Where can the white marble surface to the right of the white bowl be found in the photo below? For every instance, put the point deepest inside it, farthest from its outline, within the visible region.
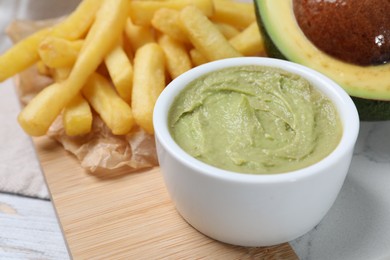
(358, 224)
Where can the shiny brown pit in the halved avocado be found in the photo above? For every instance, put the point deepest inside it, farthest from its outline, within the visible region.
(354, 31)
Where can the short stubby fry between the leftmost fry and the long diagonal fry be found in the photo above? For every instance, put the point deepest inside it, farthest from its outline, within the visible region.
(57, 52)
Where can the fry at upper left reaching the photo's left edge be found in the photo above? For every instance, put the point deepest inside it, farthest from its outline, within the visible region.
(25, 53)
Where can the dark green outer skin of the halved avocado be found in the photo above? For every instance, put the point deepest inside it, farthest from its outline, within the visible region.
(369, 110)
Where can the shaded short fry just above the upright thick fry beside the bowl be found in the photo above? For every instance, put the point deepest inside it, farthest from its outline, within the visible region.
(138, 35)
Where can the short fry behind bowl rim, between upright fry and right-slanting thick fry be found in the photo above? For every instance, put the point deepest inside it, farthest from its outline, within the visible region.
(177, 58)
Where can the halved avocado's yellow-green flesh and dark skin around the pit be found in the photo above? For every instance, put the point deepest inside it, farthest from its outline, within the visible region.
(369, 86)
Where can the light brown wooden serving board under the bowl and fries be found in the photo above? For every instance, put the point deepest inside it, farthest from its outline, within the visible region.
(121, 215)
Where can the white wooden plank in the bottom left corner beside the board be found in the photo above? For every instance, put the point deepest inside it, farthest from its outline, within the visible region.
(29, 229)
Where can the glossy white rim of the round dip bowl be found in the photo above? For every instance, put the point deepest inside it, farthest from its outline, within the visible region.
(345, 106)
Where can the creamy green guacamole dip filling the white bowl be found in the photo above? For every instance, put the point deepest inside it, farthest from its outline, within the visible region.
(254, 119)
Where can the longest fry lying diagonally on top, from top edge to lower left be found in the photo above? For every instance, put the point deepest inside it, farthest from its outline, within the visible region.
(110, 21)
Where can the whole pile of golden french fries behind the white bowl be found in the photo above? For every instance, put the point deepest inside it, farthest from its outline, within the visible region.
(114, 57)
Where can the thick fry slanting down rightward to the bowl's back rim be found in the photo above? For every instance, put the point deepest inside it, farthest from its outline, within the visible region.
(205, 35)
